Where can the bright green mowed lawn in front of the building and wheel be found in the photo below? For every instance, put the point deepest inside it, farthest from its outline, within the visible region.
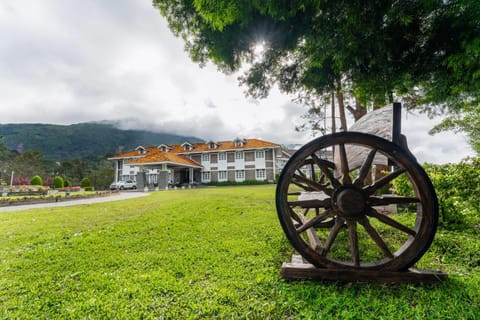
(201, 253)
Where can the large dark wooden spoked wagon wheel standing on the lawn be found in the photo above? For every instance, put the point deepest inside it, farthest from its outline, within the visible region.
(337, 215)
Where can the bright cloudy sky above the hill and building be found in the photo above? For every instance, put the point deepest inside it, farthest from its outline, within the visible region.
(65, 61)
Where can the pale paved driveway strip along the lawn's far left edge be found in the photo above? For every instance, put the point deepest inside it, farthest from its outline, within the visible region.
(116, 197)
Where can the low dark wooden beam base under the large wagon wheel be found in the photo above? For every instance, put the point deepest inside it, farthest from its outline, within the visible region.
(300, 270)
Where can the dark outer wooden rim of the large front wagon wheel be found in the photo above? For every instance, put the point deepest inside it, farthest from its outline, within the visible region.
(426, 216)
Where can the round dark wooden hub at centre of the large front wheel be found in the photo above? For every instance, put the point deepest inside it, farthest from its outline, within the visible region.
(350, 202)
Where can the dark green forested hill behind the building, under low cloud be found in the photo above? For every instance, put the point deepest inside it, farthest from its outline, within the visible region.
(82, 140)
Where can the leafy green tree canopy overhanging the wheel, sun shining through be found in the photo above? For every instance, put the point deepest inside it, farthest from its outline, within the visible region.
(376, 51)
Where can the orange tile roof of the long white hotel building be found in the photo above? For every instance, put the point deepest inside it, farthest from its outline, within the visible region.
(154, 155)
